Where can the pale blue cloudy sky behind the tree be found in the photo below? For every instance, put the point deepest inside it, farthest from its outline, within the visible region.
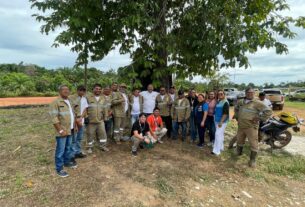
(21, 40)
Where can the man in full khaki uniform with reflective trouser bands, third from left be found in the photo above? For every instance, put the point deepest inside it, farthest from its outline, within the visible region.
(97, 112)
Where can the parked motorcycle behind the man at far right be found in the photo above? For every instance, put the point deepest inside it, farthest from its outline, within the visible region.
(274, 131)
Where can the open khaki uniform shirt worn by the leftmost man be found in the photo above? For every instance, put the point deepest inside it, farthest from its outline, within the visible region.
(60, 114)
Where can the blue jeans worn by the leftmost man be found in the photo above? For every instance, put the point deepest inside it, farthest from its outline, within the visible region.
(63, 152)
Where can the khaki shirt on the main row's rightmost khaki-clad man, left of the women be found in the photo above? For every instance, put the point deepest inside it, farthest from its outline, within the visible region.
(181, 112)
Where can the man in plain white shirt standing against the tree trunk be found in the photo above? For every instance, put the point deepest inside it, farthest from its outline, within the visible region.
(149, 97)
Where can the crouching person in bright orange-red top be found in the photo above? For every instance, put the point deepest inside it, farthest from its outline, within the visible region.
(156, 125)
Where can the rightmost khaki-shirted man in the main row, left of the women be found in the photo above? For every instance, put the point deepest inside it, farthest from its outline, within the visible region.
(180, 112)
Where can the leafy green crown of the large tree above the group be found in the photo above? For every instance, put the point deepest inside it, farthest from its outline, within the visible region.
(185, 37)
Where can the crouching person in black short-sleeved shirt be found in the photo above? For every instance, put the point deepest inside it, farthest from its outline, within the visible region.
(140, 134)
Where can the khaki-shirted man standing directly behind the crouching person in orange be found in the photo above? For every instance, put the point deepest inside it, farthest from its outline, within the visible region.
(164, 102)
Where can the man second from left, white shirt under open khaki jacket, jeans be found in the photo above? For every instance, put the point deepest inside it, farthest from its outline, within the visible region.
(80, 103)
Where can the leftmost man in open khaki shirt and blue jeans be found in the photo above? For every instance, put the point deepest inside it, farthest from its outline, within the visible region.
(63, 118)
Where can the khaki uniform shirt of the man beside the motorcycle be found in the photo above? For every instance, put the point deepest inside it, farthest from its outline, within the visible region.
(246, 112)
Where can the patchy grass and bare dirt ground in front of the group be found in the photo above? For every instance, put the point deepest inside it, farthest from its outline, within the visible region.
(171, 174)
